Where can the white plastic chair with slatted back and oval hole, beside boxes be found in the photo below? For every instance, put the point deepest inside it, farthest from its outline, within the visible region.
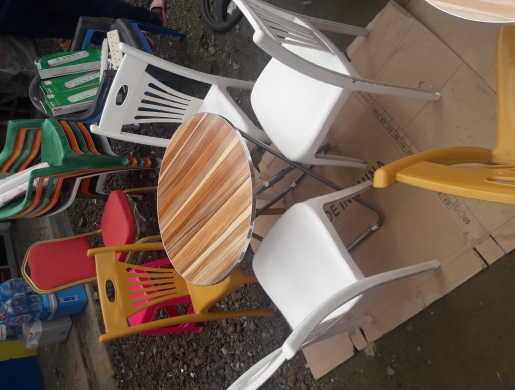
(149, 100)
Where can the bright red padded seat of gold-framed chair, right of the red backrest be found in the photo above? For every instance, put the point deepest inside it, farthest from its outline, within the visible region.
(118, 224)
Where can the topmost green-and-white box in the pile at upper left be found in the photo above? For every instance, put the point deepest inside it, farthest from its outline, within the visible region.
(87, 60)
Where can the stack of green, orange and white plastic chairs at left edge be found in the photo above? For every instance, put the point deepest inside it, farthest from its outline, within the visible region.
(76, 164)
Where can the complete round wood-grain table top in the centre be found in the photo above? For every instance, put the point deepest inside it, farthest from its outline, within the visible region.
(205, 199)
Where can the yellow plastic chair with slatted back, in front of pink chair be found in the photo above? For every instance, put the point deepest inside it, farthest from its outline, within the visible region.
(167, 284)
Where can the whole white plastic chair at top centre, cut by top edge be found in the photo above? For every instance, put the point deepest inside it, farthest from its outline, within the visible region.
(306, 83)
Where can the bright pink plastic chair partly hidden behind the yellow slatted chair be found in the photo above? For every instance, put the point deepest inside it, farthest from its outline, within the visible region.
(147, 315)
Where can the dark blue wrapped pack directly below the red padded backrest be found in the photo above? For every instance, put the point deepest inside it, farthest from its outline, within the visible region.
(64, 303)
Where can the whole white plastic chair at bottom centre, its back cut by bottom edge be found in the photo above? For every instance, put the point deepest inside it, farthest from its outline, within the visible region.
(306, 270)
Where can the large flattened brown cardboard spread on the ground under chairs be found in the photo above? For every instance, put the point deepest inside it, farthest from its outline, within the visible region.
(464, 235)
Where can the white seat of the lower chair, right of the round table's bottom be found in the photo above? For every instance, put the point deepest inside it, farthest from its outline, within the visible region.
(300, 265)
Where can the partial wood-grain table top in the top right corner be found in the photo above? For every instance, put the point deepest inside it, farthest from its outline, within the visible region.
(491, 11)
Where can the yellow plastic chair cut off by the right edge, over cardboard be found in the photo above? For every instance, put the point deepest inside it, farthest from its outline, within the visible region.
(493, 181)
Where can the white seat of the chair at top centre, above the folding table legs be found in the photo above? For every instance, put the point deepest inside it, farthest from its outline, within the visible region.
(295, 109)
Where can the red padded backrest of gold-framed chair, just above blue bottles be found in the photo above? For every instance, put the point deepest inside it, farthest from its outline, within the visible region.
(57, 263)
